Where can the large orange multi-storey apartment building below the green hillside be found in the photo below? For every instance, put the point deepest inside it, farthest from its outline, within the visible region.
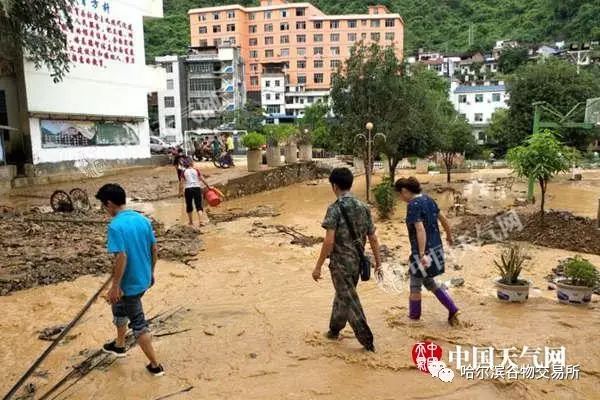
(293, 42)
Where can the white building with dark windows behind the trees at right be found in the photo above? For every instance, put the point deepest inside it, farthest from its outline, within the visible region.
(477, 103)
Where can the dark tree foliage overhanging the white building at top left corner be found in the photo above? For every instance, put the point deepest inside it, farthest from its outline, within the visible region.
(33, 28)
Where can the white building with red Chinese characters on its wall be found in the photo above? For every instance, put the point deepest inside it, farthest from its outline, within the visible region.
(97, 116)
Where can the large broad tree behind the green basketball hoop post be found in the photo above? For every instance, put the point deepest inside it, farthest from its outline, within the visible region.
(556, 82)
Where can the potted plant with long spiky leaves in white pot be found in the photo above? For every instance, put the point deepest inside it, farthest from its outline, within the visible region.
(509, 287)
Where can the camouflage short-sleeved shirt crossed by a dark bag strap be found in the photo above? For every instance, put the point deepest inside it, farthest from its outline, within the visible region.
(344, 251)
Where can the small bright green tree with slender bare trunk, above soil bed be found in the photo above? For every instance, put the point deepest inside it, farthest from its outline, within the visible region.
(541, 158)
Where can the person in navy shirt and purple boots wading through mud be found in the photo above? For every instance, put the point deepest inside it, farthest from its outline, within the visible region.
(427, 252)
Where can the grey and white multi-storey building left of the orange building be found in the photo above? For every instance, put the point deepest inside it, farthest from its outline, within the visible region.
(200, 88)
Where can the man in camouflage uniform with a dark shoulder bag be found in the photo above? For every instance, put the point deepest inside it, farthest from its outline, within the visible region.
(344, 257)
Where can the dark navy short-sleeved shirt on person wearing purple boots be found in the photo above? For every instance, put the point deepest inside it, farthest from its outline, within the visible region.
(423, 208)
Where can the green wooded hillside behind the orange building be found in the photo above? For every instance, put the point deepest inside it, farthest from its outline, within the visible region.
(431, 24)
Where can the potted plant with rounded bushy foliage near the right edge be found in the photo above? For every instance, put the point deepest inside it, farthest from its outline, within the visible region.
(580, 279)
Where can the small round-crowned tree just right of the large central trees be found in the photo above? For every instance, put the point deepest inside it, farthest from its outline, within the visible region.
(456, 138)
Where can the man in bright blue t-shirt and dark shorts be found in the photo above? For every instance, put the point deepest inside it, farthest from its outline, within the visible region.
(131, 239)
